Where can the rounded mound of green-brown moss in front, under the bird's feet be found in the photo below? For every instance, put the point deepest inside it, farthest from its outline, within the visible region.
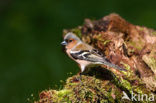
(91, 90)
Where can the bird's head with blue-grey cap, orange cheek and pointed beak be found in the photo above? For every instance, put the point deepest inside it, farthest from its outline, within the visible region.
(70, 40)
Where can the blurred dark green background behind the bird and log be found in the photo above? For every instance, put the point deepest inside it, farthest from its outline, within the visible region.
(31, 58)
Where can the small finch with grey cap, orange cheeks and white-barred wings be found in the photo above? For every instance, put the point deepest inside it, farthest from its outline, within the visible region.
(84, 54)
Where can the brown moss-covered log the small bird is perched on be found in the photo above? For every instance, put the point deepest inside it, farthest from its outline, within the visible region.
(129, 46)
